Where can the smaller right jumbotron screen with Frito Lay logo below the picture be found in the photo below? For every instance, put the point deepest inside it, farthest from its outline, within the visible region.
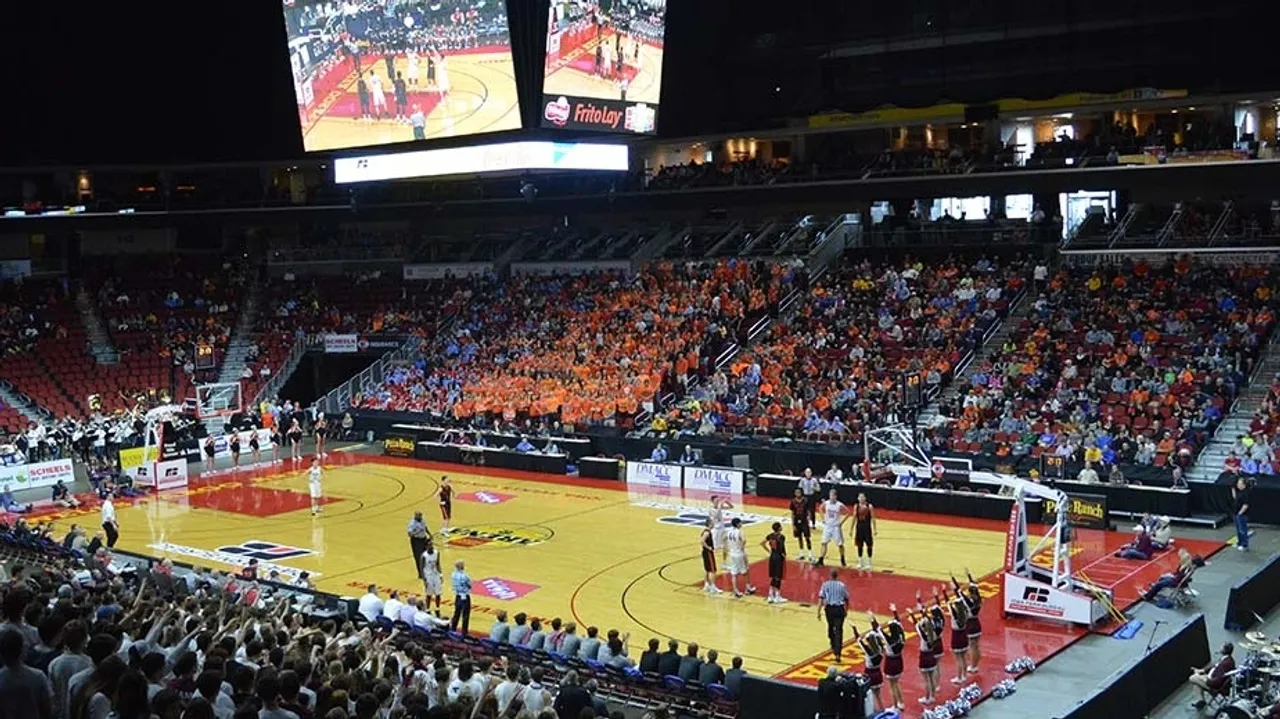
(605, 65)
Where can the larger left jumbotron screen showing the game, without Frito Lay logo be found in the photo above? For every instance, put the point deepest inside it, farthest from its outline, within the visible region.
(377, 72)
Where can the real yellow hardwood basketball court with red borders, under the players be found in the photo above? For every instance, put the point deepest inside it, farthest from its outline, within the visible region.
(595, 553)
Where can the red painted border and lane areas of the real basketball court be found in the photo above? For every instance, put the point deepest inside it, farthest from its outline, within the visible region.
(1004, 639)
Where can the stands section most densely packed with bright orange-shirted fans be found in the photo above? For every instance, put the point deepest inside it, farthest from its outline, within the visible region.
(588, 349)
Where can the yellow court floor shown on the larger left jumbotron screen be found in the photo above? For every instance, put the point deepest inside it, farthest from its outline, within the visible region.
(483, 99)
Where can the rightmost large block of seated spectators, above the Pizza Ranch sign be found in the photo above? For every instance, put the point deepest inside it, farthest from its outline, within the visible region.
(1128, 365)
